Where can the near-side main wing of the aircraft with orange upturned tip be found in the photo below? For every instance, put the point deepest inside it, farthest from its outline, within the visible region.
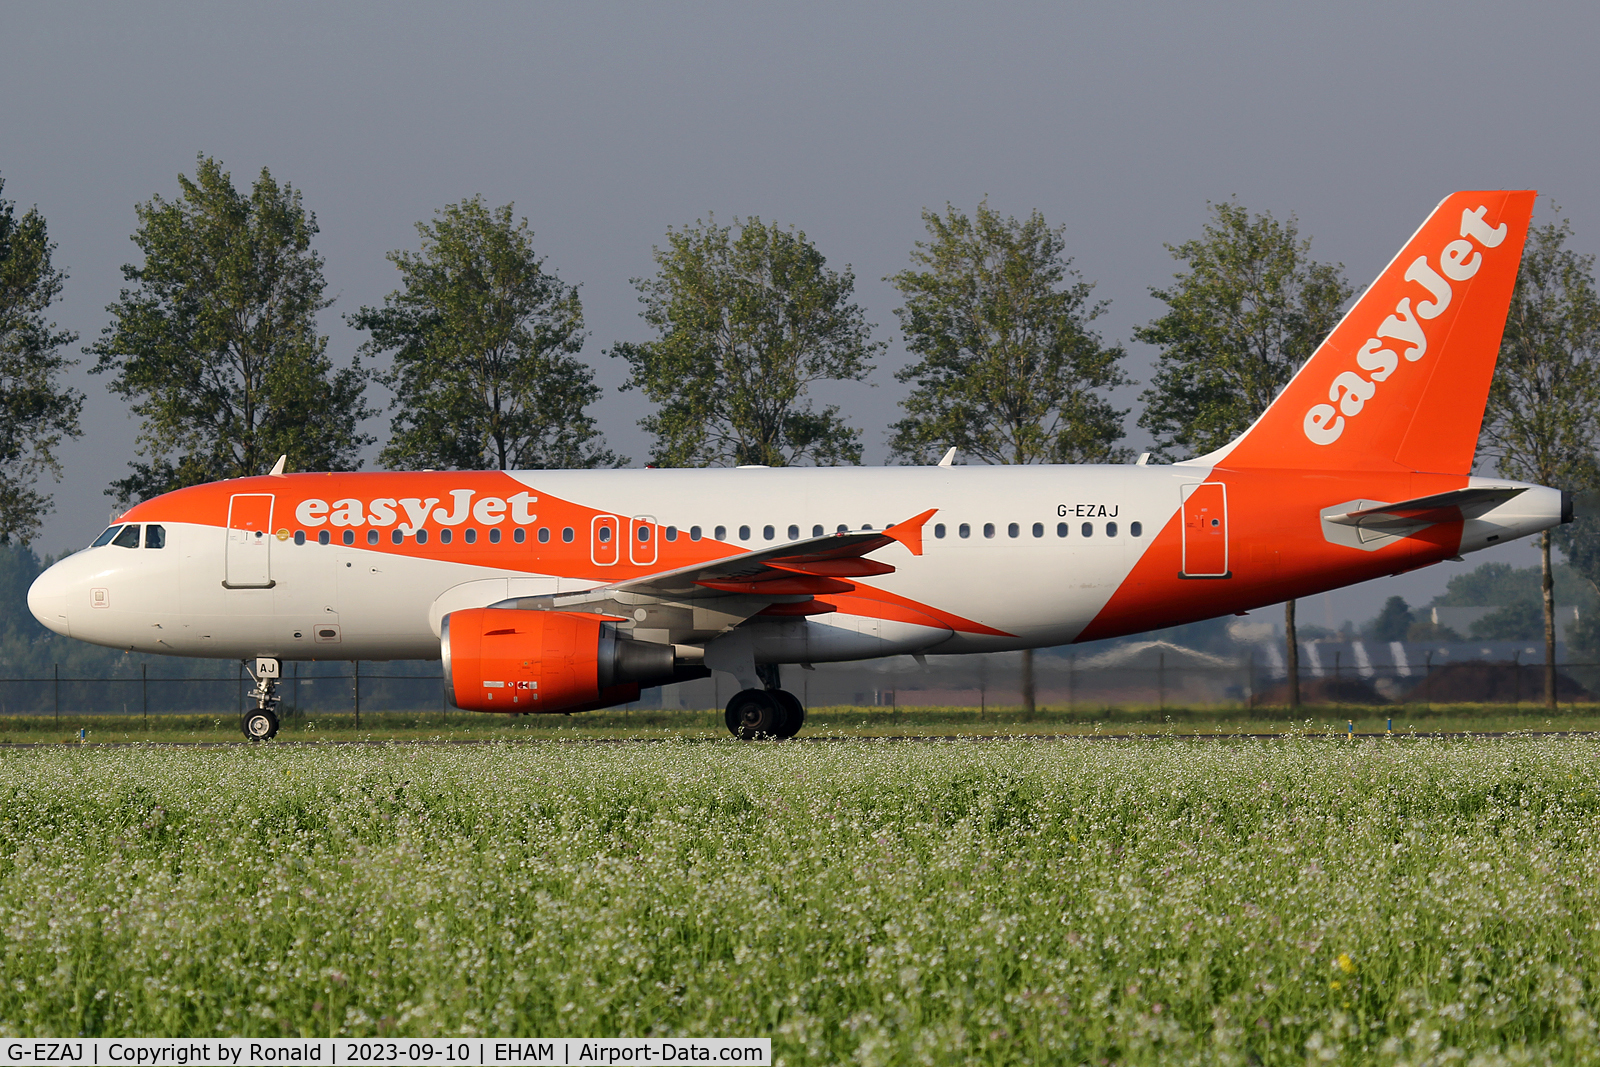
(697, 602)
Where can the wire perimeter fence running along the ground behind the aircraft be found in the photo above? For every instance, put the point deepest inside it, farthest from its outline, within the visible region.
(975, 682)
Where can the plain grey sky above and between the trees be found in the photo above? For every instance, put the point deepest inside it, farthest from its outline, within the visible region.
(607, 124)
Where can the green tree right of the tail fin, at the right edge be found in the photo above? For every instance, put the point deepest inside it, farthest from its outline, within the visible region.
(1543, 415)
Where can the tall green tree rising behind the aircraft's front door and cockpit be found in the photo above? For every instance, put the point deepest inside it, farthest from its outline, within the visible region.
(217, 346)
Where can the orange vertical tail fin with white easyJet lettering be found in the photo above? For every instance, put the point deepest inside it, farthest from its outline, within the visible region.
(1402, 380)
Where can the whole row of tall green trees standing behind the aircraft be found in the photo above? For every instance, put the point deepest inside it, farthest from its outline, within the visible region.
(215, 346)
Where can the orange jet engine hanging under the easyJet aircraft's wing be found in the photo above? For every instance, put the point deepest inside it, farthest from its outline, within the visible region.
(506, 660)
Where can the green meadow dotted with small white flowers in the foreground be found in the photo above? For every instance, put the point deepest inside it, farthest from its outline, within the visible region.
(878, 903)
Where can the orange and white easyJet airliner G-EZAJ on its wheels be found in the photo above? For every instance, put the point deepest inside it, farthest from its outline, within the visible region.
(561, 591)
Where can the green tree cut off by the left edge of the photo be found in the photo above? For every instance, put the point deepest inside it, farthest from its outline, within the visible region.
(36, 409)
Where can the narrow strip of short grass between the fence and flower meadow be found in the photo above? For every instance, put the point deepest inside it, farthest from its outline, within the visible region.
(822, 722)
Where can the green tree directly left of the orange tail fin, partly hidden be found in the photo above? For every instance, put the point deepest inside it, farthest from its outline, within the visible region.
(1246, 314)
